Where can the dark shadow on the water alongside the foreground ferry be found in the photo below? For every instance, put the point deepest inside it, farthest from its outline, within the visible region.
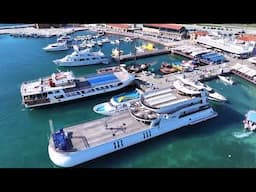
(226, 116)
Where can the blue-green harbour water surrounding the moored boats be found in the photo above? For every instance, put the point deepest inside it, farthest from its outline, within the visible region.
(219, 142)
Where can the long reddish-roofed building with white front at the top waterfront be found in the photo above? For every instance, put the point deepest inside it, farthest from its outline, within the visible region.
(171, 31)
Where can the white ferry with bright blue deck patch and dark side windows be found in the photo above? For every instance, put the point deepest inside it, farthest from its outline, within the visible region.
(63, 86)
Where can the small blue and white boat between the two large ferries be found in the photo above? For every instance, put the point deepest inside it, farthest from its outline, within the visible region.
(118, 103)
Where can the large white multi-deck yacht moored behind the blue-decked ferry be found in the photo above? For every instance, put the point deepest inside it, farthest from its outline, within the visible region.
(83, 57)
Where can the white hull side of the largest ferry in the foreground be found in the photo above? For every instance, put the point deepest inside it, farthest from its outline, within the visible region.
(70, 159)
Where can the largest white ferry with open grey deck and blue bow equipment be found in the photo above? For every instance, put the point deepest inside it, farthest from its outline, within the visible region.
(80, 143)
